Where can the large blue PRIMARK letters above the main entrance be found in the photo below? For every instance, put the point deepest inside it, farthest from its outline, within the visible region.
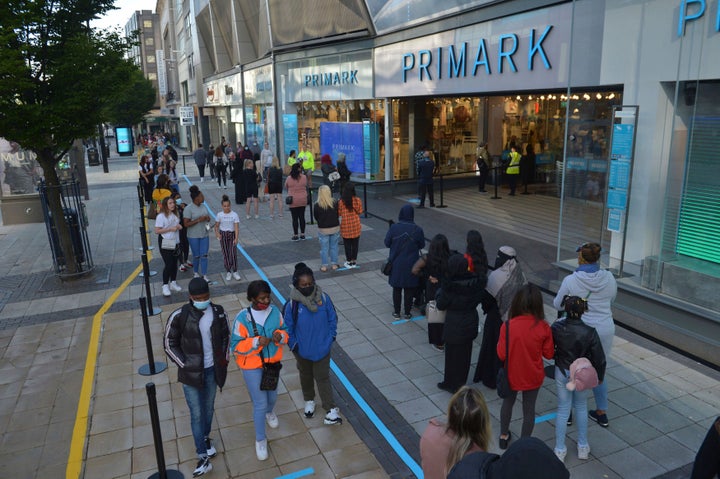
(454, 61)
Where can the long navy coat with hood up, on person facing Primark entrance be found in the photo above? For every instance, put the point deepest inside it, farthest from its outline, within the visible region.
(405, 240)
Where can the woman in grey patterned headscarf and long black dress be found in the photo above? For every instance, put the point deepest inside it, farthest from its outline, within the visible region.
(503, 283)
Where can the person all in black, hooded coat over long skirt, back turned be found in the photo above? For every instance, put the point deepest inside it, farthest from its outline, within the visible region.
(459, 296)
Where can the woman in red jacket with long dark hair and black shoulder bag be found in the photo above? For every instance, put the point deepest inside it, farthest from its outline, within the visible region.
(530, 341)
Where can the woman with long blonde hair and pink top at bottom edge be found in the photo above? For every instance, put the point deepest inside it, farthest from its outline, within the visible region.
(467, 430)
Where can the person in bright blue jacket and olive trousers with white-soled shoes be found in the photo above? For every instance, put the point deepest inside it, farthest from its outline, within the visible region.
(312, 326)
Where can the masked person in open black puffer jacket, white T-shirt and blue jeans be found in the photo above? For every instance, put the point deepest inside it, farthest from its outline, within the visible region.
(197, 323)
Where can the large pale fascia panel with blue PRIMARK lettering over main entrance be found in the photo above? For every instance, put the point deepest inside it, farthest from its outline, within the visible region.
(527, 51)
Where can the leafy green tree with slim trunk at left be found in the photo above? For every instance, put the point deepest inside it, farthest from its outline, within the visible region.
(59, 79)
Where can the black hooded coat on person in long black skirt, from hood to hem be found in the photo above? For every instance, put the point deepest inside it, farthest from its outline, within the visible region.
(459, 297)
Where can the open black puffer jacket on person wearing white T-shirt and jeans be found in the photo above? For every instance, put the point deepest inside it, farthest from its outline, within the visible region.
(183, 344)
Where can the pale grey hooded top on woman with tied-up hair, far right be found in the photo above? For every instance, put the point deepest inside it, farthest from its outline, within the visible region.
(599, 288)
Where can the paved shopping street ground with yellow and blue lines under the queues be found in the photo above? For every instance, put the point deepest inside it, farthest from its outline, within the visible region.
(72, 403)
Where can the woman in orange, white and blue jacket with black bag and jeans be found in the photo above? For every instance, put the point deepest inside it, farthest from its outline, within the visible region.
(258, 334)
